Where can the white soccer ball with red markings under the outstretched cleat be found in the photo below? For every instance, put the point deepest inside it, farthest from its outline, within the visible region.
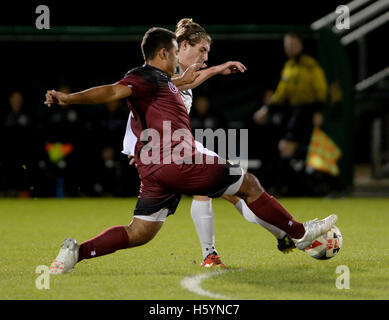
(327, 245)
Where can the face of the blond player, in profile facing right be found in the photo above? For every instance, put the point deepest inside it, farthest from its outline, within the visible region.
(198, 53)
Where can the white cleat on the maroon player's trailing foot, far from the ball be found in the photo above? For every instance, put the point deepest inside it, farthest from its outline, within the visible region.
(67, 257)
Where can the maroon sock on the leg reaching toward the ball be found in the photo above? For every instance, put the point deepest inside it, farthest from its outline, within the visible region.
(268, 208)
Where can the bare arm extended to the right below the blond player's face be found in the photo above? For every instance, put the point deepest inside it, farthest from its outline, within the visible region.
(227, 68)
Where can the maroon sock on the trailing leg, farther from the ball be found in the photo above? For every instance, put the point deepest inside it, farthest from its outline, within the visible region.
(109, 241)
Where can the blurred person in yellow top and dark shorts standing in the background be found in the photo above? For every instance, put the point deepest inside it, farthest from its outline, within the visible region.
(297, 104)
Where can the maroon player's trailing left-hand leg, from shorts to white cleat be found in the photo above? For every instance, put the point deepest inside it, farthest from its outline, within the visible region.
(153, 206)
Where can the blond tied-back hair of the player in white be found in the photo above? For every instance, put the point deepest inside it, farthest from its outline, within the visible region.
(191, 31)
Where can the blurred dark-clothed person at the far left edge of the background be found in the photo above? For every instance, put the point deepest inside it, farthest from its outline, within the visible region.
(17, 148)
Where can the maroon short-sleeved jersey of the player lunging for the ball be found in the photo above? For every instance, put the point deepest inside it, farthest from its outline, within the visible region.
(156, 104)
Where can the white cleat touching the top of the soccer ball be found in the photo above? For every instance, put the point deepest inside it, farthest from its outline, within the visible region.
(314, 229)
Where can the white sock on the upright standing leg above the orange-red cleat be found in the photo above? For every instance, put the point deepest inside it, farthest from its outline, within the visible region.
(202, 215)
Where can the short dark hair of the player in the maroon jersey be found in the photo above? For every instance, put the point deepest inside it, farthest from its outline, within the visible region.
(154, 40)
